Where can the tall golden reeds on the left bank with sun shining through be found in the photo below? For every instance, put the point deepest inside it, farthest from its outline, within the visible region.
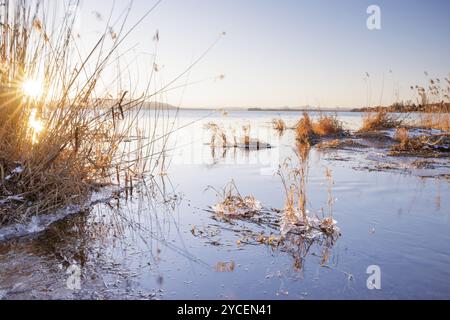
(58, 140)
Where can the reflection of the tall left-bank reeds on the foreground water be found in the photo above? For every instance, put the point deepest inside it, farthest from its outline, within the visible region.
(106, 243)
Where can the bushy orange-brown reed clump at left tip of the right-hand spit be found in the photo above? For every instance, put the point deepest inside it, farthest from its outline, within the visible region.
(308, 131)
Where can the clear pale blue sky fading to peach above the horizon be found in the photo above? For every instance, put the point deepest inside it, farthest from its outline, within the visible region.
(282, 53)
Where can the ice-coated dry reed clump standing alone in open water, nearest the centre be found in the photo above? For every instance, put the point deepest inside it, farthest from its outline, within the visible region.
(294, 230)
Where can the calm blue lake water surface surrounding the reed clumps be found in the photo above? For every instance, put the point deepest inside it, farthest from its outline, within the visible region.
(165, 244)
